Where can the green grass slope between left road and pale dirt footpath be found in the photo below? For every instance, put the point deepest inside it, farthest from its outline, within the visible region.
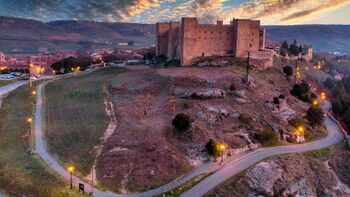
(75, 117)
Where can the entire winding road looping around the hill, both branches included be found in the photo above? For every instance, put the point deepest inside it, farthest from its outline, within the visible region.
(233, 165)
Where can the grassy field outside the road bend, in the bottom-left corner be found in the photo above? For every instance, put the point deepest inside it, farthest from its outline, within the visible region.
(22, 173)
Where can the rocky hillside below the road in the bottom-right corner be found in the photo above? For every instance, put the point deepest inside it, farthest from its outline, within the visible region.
(320, 173)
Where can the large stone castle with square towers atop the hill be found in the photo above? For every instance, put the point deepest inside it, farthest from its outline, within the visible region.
(188, 40)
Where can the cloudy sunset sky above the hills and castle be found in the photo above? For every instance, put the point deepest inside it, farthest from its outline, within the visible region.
(270, 12)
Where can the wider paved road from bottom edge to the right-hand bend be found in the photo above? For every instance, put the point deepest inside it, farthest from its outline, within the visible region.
(238, 165)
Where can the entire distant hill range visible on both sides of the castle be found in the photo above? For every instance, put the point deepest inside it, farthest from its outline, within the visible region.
(27, 36)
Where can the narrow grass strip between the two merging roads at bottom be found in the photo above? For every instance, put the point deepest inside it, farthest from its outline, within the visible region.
(182, 188)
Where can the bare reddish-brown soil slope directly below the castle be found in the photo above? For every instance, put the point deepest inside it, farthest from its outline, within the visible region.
(145, 151)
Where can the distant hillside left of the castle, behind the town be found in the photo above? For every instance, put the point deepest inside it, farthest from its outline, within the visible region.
(27, 36)
